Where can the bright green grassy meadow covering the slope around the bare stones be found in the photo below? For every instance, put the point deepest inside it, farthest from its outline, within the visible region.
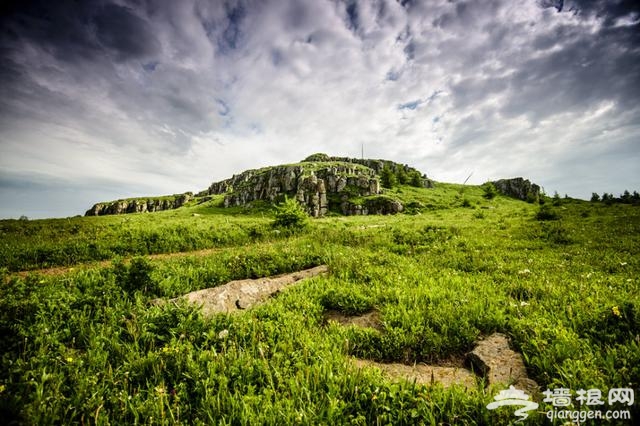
(84, 345)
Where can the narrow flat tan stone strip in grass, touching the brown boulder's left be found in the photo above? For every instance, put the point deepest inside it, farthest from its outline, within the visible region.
(423, 374)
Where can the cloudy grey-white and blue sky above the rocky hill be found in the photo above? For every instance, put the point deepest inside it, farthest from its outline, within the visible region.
(106, 99)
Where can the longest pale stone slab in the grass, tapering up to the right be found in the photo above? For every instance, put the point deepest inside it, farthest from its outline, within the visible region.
(244, 294)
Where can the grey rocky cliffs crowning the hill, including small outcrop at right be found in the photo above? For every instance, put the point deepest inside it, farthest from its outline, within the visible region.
(320, 183)
